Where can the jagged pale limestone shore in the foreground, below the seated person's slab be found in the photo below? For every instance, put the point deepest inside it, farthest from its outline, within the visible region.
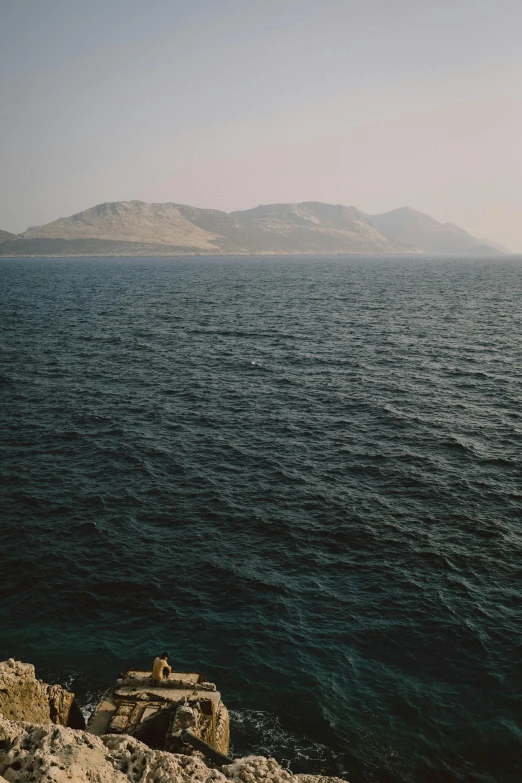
(33, 750)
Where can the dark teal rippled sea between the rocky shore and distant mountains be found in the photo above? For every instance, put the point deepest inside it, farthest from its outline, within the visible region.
(302, 477)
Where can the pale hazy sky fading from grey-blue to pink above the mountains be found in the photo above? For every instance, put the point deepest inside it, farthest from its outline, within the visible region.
(227, 104)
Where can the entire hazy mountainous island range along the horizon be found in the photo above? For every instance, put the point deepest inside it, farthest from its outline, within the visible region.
(135, 228)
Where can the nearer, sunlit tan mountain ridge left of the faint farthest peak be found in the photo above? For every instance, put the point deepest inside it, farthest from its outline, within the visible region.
(138, 228)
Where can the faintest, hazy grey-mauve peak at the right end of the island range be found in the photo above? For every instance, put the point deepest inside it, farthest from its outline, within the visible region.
(428, 235)
